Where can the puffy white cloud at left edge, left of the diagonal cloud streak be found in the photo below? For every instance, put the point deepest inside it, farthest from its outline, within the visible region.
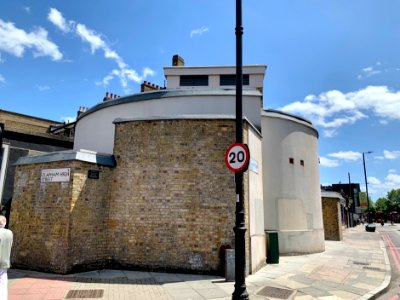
(15, 41)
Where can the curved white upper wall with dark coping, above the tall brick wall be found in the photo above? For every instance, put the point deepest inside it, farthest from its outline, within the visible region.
(95, 129)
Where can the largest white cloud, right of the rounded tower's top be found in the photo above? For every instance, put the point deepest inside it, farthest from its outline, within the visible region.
(334, 109)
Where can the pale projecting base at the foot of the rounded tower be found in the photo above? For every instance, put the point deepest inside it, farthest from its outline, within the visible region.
(301, 242)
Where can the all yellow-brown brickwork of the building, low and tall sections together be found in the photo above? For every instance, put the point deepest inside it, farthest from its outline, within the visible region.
(169, 204)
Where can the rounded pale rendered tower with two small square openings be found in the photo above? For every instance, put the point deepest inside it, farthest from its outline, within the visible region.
(292, 196)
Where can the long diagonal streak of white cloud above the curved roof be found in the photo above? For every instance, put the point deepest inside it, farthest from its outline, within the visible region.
(97, 42)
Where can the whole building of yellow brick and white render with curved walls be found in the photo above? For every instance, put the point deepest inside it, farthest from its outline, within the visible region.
(146, 185)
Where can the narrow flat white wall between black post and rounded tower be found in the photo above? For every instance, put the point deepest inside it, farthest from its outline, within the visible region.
(256, 204)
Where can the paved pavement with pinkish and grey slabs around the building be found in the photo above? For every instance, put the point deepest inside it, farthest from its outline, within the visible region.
(355, 268)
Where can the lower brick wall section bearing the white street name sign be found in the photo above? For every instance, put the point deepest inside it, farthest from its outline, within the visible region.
(59, 225)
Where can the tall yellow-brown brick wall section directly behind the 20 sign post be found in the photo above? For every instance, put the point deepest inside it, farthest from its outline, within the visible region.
(177, 207)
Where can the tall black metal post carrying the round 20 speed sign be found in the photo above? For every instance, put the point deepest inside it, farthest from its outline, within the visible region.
(240, 291)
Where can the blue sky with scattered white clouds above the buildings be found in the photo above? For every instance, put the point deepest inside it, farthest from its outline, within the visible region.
(334, 62)
